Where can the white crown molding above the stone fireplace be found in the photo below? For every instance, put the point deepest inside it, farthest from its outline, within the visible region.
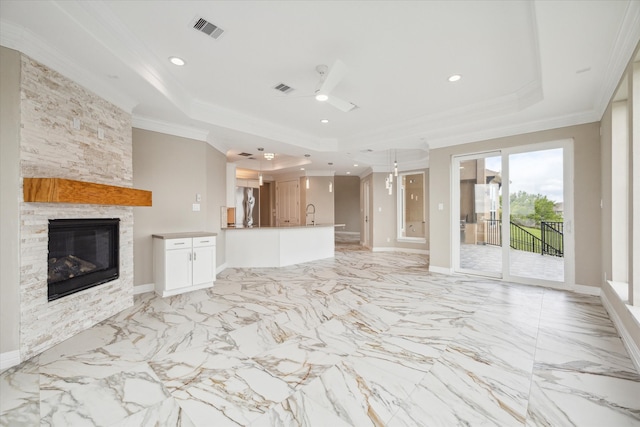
(26, 42)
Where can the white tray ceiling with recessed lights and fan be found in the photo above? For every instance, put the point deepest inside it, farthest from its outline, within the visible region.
(525, 66)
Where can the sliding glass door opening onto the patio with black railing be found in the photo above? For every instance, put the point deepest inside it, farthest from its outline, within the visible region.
(514, 208)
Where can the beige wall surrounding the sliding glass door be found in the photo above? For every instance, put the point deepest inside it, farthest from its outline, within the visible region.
(586, 195)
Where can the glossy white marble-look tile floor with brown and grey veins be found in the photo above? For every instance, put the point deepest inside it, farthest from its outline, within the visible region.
(365, 339)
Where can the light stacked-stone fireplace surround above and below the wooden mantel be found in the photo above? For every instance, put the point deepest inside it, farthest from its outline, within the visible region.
(59, 138)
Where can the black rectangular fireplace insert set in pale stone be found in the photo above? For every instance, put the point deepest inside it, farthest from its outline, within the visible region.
(82, 253)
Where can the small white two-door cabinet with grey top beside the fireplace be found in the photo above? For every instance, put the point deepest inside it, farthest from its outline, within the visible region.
(183, 262)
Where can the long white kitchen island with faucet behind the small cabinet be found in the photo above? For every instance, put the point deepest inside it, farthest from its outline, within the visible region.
(279, 246)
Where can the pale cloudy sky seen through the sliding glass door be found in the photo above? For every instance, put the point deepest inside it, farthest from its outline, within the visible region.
(536, 172)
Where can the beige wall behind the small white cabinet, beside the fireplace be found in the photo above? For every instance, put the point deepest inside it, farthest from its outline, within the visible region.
(175, 169)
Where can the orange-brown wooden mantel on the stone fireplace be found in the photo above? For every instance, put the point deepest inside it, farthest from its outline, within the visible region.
(58, 190)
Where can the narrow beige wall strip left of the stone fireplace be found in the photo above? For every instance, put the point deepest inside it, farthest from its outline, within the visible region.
(9, 200)
